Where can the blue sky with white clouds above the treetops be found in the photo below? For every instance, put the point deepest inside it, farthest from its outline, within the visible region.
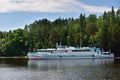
(16, 14)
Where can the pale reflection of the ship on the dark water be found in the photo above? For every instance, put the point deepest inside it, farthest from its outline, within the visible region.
(65, 64)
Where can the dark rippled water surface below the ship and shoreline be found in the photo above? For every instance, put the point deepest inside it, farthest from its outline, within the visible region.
(73, 69)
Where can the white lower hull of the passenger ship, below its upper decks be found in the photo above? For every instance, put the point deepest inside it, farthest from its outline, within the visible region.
(68, 56)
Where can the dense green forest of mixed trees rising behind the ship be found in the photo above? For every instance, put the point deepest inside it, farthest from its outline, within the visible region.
(100, 31)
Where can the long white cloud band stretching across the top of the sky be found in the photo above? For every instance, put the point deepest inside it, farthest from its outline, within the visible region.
(50, 6)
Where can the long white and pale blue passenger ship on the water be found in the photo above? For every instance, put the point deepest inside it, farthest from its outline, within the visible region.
(69, 53)
